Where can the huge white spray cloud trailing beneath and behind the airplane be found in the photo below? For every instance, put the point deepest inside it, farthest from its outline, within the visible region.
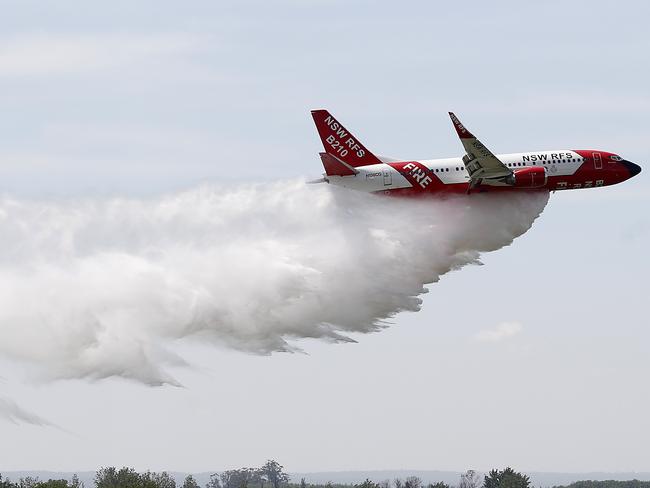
(97, 289)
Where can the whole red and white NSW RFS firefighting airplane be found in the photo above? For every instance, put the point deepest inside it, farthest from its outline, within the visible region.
(348, 163)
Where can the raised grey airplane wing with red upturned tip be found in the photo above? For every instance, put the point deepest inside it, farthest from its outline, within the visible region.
(480, 162)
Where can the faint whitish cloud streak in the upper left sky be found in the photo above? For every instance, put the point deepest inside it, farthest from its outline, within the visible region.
(65, 55)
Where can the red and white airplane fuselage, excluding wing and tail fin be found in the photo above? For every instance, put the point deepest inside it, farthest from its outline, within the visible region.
(564, 169)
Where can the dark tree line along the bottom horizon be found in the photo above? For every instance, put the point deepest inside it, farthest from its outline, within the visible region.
(272, 475)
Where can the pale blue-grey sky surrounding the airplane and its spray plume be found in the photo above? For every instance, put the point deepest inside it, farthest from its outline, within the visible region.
(142, 98)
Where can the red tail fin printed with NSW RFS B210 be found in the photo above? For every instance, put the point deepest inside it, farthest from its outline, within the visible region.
(338, 141)
